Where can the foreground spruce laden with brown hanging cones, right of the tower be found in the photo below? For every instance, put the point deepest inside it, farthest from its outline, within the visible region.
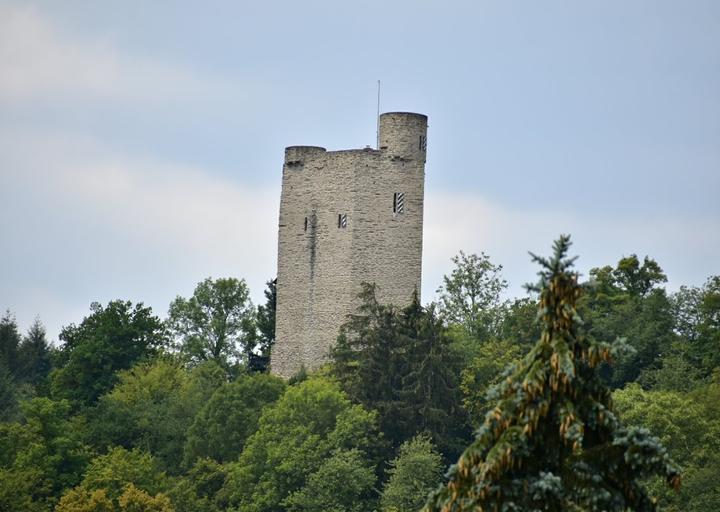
(553, 441)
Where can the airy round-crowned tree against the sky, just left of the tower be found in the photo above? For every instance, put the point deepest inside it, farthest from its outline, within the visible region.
(216, 323)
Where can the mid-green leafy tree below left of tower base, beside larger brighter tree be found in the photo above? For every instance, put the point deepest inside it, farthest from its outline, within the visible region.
(230, 416)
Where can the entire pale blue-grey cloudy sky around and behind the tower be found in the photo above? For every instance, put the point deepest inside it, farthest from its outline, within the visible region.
(141, 143)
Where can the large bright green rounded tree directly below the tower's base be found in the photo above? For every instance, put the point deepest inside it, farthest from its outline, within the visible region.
(295, 438)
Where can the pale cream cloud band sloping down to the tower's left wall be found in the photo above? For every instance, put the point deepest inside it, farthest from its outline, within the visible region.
(152, 201)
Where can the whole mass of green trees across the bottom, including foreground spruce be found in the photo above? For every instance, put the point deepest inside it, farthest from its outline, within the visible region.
(134, 413)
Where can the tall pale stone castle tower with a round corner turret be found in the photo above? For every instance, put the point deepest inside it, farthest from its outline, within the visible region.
(346, 217)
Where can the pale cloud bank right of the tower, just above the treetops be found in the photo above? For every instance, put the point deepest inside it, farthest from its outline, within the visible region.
(681, 245)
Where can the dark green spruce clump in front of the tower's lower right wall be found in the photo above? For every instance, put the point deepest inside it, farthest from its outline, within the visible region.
(399, 362)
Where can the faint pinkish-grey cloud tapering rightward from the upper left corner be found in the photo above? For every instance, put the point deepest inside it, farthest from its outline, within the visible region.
(38, 60)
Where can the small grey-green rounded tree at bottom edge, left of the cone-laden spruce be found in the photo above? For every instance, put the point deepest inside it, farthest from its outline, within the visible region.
(412, 475)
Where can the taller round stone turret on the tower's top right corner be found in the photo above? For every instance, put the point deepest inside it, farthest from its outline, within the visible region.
(404, 135)
